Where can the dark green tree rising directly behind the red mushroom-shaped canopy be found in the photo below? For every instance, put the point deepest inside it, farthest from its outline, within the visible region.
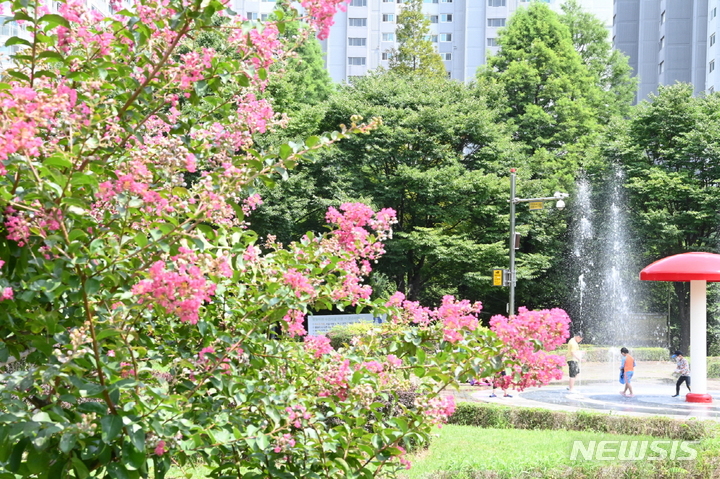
(671, 155)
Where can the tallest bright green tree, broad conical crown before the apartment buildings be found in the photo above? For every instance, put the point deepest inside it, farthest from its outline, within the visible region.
(550, 95)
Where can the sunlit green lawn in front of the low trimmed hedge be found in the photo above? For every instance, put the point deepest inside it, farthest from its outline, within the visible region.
(507, 451)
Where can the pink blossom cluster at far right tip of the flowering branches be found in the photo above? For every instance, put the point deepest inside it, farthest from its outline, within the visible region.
(527, 338)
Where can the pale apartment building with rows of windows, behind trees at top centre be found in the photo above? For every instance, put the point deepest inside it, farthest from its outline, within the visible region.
(463, 31)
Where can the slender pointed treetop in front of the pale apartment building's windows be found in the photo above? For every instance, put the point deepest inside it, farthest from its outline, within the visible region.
(415, 53)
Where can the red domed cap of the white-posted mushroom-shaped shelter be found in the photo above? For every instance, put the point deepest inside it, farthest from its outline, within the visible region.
(684, 267)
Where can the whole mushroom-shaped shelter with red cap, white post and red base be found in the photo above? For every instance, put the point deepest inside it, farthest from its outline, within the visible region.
(698, 268)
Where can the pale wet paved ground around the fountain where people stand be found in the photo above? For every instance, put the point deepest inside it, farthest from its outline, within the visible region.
(598, 388)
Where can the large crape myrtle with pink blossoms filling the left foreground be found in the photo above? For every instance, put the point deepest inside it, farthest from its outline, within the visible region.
(143, 324)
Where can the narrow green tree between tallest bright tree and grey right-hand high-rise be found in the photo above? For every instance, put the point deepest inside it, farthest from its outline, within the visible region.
(610, 66)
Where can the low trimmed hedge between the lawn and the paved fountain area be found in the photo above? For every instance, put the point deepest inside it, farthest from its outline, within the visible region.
(504, 417)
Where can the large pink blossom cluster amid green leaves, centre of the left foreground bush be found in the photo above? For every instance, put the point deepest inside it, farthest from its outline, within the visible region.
(180, 291)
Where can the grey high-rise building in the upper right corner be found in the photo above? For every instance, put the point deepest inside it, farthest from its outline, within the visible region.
(669, 41)
